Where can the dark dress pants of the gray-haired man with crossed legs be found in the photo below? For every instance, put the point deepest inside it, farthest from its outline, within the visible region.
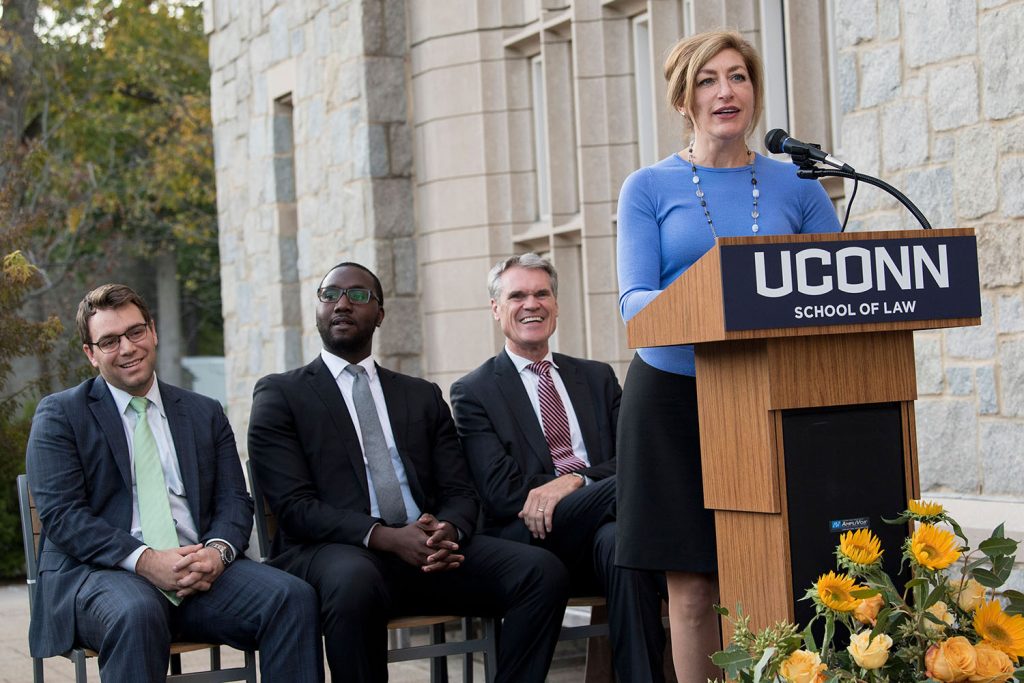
(584, 538)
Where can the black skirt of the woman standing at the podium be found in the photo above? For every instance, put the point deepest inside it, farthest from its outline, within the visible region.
(663, 524)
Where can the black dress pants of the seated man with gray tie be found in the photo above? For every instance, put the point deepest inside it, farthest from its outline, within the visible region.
(360, 590)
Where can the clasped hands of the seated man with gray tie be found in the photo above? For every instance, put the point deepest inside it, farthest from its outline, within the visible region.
(428, 543)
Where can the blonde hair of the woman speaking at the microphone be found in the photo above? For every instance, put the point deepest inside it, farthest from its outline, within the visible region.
(691, 55)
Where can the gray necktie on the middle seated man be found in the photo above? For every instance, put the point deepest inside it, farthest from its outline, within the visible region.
(390, 501)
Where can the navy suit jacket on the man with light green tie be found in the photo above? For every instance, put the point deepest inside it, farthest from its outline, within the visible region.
(80, 475)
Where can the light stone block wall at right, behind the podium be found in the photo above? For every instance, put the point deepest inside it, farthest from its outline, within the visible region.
(932, 101)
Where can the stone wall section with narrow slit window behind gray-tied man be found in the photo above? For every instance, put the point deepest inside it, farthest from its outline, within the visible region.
(314, 161)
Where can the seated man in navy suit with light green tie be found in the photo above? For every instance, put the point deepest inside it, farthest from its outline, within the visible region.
(146, 514)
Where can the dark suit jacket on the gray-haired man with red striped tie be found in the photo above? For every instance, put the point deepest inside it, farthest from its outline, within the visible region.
(504, 441)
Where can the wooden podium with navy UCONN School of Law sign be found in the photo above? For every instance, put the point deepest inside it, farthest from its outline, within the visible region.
(815, 382)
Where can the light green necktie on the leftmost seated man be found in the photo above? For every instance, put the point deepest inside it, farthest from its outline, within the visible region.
(154, 506)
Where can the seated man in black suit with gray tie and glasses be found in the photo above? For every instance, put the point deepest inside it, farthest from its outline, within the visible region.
(375, 506)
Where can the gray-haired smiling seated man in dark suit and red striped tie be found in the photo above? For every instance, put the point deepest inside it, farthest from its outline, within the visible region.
(539, 432)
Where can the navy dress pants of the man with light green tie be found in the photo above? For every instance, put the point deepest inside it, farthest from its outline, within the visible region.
(131, 624)
